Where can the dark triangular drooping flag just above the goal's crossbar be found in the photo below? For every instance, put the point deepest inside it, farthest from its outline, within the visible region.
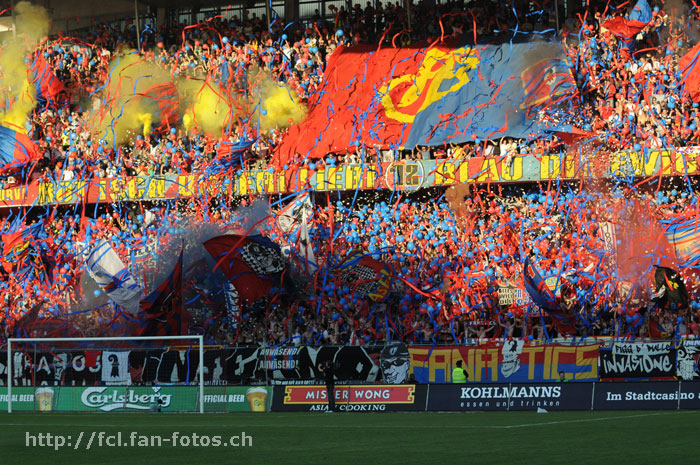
(163, 307)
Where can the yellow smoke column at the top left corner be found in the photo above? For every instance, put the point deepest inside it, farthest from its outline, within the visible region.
(32, 26)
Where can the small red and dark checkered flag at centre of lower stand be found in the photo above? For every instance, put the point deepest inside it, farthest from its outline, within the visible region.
(366, 276)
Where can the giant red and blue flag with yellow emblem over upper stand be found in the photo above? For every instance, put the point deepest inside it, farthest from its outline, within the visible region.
(431, 96)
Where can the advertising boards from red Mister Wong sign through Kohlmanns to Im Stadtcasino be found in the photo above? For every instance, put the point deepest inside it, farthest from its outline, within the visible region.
(662, 395)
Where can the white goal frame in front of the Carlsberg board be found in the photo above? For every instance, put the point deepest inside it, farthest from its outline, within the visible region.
(60, 340)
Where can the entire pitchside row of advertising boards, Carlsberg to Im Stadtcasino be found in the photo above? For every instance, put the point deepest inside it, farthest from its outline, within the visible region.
(659, 395)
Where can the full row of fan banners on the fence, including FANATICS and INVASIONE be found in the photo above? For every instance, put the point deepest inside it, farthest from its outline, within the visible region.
(509, 361)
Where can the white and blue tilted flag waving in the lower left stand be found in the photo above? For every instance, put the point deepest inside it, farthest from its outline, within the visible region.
(106, 268)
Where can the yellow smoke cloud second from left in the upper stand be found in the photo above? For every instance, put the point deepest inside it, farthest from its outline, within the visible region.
(125, 112)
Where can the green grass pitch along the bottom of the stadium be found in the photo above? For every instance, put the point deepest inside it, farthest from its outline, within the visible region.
(374, 439)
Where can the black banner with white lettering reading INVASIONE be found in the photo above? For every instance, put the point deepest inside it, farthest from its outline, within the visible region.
(637, 360)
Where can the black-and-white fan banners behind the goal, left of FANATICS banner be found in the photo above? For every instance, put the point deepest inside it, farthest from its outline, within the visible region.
(233, 366)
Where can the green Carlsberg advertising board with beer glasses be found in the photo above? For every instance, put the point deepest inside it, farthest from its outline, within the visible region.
(137, 398)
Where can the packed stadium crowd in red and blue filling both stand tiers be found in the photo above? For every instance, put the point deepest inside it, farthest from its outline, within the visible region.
(452, 252)
